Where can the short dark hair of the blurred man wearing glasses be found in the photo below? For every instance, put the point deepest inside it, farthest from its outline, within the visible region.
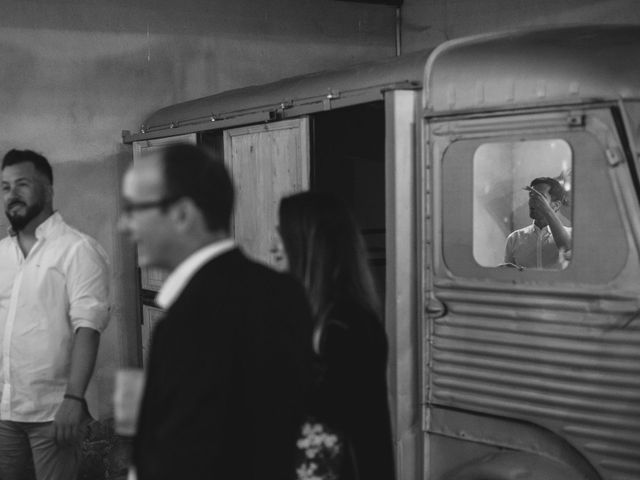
(189, 171)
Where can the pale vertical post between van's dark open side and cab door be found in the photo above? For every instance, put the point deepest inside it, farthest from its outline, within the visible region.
(402, 115)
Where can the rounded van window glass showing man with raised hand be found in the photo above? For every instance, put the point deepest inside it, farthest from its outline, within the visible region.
(521, 195)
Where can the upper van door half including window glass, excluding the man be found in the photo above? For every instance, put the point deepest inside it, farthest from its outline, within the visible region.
(479, 198)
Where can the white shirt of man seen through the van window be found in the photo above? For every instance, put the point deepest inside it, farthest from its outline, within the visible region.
(533, 247)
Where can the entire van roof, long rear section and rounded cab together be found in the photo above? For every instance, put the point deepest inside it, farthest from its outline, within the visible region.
(567, 64)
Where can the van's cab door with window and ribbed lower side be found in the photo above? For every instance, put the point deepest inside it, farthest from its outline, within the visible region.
(537, 357)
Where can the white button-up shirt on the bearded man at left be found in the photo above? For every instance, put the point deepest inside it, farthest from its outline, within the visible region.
(62, 285)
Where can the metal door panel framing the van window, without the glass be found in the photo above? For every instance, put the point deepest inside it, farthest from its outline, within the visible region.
(592, 140)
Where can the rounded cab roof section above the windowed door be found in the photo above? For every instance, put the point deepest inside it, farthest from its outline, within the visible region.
(566, 64)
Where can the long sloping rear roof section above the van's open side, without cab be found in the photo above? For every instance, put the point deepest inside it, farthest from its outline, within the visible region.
(286, 98)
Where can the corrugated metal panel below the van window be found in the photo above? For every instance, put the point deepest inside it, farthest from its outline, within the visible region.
(566, 370)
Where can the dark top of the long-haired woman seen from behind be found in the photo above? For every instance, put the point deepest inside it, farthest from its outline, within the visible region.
(351, 391)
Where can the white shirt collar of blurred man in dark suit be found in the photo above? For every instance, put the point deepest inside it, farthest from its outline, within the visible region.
(180, 277)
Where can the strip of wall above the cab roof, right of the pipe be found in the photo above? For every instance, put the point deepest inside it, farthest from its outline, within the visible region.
(426, 23)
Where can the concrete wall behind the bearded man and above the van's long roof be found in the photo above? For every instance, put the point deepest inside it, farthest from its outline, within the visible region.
(77, 72)
